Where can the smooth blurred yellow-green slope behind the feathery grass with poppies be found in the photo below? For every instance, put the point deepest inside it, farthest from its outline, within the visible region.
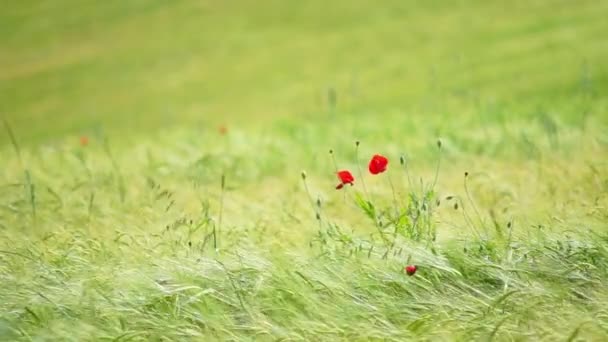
(68, 67)
